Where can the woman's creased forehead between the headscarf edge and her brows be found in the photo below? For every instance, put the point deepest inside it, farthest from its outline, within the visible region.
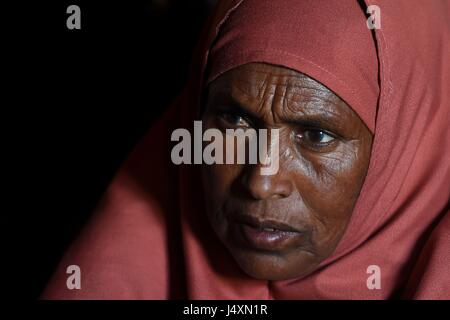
(294, 92)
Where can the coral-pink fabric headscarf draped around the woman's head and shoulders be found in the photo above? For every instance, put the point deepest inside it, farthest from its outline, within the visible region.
(144, 243)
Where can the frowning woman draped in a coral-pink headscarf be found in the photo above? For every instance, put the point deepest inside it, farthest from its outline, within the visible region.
(358, 207)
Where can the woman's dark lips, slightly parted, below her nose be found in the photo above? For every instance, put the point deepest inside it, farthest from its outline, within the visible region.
(265, 234)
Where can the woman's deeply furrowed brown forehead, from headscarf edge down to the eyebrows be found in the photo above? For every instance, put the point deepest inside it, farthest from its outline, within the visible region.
(263, 89)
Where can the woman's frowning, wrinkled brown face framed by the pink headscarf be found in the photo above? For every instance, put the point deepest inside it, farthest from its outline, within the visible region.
(282, 226)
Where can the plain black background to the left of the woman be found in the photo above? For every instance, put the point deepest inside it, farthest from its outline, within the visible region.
(86, 97)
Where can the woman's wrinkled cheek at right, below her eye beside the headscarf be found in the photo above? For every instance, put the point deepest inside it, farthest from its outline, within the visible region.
(329, 185)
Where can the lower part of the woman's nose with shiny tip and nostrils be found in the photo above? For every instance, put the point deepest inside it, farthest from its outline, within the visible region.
(265, 187)
